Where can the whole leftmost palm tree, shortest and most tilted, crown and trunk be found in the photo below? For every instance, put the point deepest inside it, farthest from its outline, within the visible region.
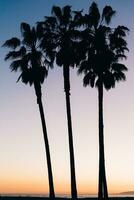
(30, 60)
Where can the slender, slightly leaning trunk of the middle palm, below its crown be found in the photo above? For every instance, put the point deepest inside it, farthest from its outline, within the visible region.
(70, 134)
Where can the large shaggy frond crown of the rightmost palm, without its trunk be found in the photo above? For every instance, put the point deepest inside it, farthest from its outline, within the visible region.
(105, 47)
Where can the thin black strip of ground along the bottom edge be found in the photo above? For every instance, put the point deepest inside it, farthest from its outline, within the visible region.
(58, 198)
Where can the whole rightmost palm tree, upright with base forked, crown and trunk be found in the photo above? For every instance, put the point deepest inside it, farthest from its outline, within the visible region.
(104, 48)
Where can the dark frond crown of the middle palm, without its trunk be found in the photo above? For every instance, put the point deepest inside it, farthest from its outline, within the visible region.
(61, 35)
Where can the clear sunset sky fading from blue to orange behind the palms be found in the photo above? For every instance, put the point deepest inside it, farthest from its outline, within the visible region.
(22, 156)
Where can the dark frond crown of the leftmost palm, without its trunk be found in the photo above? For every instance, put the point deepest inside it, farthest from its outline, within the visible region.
(27, 55)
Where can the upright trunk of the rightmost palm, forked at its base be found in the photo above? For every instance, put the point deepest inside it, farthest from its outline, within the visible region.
(102, 187)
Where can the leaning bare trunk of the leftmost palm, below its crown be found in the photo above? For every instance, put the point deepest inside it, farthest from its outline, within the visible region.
(50, 175)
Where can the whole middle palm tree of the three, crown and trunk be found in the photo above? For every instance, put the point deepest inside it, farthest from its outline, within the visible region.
(61, 36)
